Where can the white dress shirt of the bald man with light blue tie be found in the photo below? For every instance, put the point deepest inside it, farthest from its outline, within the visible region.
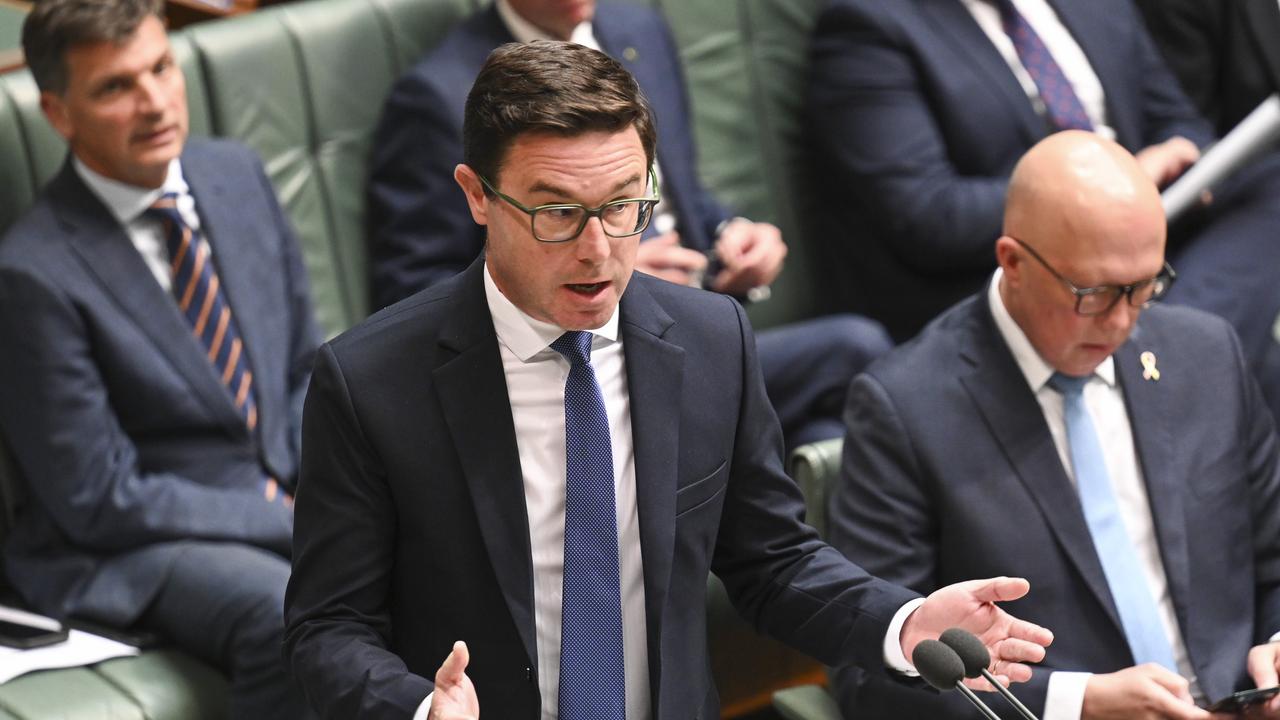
(1105, 403)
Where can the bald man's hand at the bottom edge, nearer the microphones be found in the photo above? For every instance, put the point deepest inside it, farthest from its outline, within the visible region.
(1146, 692)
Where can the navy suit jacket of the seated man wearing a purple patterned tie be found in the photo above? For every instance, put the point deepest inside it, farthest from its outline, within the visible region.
(918, 122)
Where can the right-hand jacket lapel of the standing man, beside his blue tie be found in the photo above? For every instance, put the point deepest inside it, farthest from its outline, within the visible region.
(655, 379)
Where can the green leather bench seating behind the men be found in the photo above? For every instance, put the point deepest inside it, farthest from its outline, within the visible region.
(304, 85)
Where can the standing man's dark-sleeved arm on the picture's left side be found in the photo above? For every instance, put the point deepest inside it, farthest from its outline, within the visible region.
(337, 621)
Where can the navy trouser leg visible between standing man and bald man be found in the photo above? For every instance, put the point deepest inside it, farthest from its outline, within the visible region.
(808, 367)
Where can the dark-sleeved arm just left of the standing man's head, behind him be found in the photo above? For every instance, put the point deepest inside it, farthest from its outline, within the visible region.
(420, 230)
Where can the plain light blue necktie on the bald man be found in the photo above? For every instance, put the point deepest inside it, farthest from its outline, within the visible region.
(1139, 613)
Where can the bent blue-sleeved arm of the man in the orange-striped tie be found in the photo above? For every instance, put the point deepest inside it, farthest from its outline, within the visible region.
(77, 459)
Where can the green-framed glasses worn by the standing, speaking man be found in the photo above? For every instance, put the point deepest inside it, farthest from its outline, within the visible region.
(563, 222)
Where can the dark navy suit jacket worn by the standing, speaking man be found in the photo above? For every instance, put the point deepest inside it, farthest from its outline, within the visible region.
(413, 531)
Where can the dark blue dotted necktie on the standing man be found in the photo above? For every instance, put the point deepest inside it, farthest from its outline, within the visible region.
(593, 682)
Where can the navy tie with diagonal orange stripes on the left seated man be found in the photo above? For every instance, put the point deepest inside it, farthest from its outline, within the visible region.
(200, 299)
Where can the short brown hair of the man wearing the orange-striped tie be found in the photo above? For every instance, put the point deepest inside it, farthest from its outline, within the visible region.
(53, 28)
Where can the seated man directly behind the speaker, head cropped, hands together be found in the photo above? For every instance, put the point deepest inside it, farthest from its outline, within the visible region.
(422, 233)
